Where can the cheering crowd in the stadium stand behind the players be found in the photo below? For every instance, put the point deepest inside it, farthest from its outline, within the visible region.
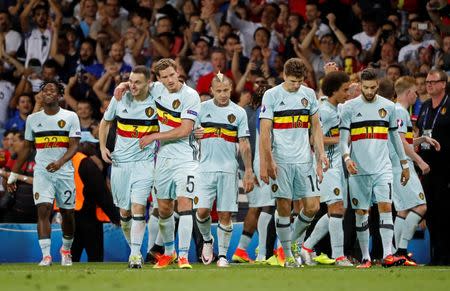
(92, 45)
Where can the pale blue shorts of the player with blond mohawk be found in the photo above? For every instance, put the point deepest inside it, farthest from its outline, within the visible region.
(219, 186)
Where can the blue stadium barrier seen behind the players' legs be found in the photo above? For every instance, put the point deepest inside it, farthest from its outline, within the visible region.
(19, 244)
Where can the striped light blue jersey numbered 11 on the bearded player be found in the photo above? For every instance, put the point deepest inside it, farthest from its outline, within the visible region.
(369, 124)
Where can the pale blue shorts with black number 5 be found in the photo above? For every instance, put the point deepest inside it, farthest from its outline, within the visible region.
(175, 178)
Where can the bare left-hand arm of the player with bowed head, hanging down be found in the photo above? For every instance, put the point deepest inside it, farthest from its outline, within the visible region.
(267, 164)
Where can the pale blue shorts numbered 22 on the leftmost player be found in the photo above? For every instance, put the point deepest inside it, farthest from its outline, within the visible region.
(50, 186)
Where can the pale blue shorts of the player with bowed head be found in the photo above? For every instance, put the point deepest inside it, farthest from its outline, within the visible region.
(295, 181)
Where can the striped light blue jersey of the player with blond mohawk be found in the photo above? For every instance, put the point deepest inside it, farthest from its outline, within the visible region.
(223, 126)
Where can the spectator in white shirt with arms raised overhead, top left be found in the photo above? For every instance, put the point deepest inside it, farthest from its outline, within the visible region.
(38, 39)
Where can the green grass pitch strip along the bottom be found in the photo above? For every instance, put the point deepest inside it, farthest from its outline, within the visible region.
(116, 276)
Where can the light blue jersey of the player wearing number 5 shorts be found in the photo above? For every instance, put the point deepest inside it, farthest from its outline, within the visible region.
(171, 109)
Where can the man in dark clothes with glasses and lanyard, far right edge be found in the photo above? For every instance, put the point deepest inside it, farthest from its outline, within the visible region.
(434, 121)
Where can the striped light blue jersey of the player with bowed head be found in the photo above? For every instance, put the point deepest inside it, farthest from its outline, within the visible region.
(291, 115)
